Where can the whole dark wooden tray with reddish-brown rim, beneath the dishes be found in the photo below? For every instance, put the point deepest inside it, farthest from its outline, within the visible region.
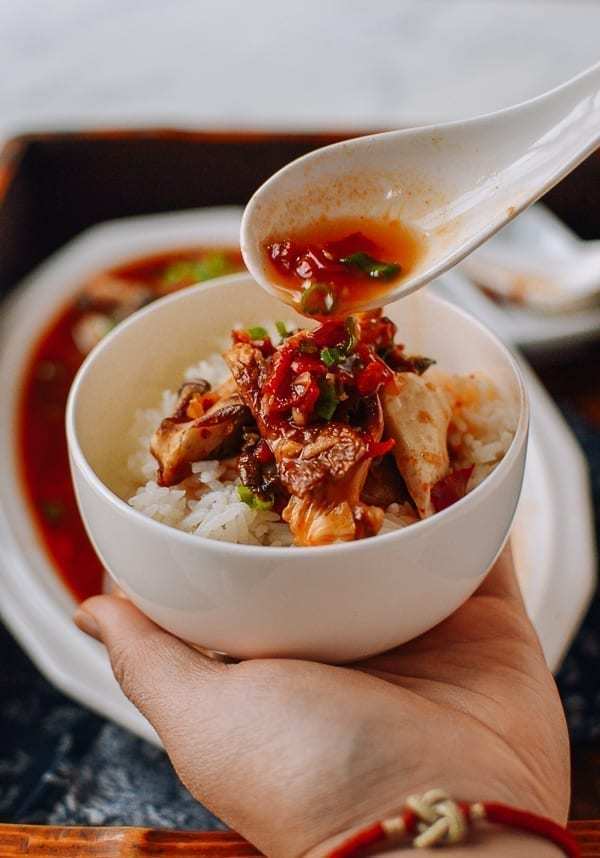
(53, 186)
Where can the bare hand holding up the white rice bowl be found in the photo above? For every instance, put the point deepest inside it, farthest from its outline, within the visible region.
(292, 754)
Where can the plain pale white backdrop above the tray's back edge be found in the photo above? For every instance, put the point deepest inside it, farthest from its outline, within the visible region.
(282, 63)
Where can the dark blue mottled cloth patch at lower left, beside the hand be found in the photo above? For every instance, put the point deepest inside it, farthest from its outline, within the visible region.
(61, 764)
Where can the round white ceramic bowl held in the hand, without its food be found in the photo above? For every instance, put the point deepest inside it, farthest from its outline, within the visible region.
(334, 603)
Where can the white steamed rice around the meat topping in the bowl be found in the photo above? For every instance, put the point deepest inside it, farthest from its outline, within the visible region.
(207, 503)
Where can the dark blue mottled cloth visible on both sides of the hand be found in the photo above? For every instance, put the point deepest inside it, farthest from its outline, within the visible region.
(61, 764)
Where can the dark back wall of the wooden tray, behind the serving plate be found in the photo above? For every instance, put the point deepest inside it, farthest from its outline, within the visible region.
(52, 186)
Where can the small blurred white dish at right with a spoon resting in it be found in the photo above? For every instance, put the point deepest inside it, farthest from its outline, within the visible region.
(539, 233)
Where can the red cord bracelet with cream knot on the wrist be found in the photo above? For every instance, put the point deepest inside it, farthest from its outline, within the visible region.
(435, 820)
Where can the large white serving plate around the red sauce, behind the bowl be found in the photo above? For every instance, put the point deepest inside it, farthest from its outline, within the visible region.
(555, 553)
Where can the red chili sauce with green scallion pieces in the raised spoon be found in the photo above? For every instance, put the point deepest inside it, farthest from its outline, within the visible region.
(336, 266)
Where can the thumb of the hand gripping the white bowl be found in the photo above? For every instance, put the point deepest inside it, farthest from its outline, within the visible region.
(155, 670)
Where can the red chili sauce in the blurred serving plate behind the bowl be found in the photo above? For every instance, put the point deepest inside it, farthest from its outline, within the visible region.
(53, 365)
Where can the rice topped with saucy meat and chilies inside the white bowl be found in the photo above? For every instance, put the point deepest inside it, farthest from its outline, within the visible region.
(308, 437)
